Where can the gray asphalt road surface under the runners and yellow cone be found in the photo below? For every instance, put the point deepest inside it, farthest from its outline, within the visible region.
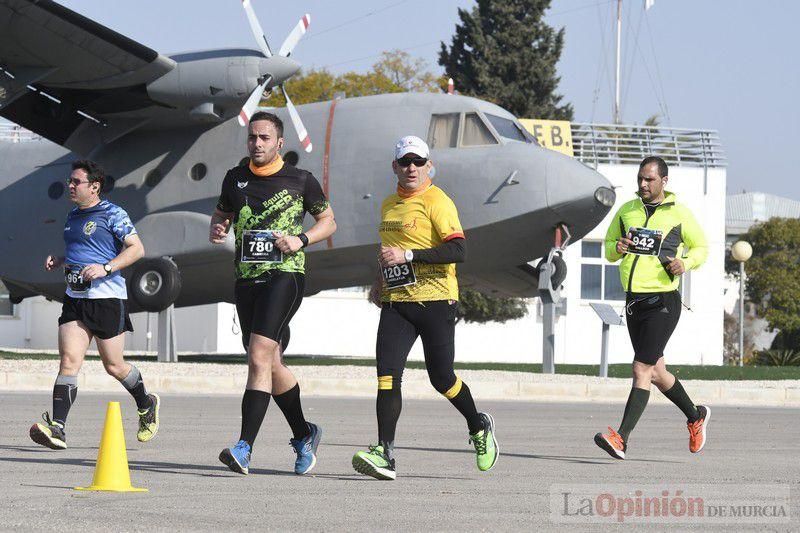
(438, 486)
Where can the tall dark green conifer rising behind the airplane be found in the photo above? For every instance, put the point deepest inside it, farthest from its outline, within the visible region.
(504, 52)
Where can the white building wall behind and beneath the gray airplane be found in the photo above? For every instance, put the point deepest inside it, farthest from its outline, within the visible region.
(343, 323)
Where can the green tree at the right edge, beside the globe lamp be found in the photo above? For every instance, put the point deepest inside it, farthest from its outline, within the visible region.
(773, 277)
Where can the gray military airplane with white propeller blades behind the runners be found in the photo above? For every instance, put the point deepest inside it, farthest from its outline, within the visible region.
(166, 129)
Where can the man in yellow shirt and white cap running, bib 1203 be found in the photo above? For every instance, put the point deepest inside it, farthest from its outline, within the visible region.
(421, 240)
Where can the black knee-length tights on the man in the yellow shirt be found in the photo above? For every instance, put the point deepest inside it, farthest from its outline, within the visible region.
(400, 325)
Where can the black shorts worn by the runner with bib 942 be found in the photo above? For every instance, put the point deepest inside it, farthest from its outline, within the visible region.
(651, 320)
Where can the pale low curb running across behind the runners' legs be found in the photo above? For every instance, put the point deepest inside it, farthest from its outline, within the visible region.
(601, 391)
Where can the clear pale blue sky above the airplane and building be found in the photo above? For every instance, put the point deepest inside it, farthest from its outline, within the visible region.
(712, 64)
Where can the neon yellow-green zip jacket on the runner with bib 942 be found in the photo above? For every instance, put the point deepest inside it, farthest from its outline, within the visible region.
(682, 237)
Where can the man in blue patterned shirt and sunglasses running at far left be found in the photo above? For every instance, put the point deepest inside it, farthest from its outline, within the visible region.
(100, 241)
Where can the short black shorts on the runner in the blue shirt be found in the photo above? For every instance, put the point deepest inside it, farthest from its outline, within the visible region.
(104, 317)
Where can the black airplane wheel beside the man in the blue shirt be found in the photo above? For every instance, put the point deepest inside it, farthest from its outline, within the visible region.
(155, 284)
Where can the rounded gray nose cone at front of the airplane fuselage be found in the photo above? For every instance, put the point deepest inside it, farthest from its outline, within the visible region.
(579, 194)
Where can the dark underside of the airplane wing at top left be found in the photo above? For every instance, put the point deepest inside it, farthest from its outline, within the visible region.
(61, 74)
